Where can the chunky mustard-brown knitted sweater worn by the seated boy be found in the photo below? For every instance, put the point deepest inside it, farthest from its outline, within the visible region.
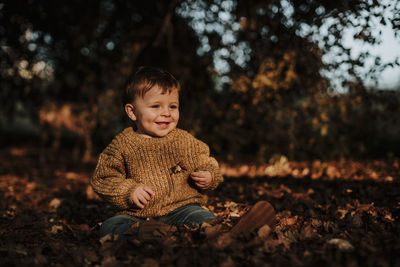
(164, 164)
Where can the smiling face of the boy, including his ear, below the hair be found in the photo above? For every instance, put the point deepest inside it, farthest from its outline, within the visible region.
(156, 114)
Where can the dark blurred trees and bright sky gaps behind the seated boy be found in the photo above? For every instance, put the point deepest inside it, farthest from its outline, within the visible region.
(305, 79)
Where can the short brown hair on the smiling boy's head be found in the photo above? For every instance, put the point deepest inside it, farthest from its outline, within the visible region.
(146, 78)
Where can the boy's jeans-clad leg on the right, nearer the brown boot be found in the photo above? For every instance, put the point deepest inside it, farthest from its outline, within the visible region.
(190, 215)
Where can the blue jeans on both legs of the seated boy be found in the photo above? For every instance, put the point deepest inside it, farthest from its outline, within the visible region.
(190, 215)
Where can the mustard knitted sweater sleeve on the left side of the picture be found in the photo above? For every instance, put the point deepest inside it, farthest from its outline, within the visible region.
(109, 178)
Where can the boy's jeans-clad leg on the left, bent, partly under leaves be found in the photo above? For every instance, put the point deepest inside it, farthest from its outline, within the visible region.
(117, 225)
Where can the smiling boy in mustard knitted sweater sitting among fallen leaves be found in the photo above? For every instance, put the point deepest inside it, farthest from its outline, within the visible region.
(157, 170)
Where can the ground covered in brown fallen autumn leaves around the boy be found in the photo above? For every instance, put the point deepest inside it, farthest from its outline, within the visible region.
(341, 213)
